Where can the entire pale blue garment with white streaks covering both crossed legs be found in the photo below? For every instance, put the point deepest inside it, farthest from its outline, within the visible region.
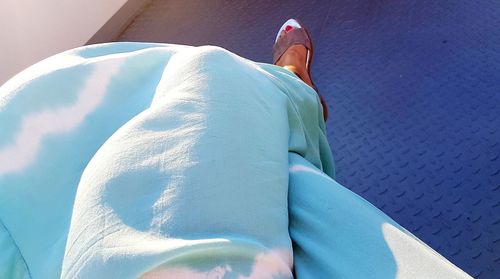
(129, 160)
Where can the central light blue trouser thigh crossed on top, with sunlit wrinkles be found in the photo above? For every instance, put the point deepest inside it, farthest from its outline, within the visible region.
(194, 186)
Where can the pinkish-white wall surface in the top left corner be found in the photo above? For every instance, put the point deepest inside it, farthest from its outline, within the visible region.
(31, 30)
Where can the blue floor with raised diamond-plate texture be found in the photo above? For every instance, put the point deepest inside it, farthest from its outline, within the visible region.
(414, 94)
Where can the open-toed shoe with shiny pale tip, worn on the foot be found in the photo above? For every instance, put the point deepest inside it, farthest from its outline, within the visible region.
(296, 34)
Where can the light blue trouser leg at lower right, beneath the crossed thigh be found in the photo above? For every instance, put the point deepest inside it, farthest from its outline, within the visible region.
(337, 234)
